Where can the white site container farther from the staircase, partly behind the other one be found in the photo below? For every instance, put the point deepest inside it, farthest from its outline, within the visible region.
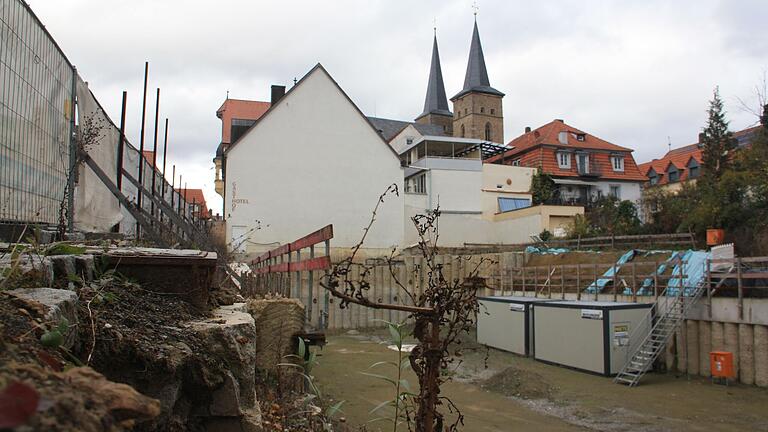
(505, 323)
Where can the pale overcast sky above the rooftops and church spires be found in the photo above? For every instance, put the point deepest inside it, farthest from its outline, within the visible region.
(633, 73)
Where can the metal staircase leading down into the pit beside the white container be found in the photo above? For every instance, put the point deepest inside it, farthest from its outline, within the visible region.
(671, 311)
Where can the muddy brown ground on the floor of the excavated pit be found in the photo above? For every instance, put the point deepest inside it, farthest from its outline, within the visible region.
(499, 391)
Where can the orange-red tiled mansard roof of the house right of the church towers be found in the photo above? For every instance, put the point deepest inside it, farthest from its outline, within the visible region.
(538, 148)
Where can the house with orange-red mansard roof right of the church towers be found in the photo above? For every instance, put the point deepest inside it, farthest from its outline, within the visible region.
(583, 166)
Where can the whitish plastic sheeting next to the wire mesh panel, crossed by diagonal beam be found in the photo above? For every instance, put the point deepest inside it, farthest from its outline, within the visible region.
(96, 208)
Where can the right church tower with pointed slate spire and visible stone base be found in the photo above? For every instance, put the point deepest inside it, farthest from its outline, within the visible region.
(477, 106)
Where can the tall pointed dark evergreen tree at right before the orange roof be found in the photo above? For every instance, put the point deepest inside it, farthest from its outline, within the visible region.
(717, 142)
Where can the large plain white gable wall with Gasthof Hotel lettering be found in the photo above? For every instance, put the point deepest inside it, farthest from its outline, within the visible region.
(313, 160)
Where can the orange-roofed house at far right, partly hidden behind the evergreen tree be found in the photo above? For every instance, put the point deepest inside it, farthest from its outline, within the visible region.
(684, 164)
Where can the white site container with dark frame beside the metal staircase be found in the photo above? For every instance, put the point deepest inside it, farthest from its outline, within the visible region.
(596, 337)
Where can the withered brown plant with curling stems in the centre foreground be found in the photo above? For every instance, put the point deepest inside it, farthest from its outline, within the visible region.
(441, 314)
